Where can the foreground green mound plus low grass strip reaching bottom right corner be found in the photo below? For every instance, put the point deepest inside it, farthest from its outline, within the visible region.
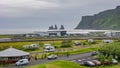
(67, 64)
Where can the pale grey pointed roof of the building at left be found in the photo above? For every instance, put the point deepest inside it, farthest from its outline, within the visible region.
(12, 52)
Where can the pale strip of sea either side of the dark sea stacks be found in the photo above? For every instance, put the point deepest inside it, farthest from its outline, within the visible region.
(24, 31)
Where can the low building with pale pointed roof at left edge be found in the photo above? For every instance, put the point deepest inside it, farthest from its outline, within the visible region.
(11, 55)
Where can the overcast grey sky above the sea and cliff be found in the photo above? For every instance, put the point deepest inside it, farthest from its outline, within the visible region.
(30, 15)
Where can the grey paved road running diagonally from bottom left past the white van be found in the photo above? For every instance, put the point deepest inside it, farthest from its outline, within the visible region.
(70, 58)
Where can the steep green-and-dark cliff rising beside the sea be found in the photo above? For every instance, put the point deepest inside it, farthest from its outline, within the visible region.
(106, 20)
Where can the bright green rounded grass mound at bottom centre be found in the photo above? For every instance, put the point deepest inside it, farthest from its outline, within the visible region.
(58, 64)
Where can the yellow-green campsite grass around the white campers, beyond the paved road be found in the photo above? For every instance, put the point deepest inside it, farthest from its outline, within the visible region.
(60, 52)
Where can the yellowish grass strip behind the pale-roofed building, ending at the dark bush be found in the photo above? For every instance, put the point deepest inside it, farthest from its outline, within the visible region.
(19, 45)
